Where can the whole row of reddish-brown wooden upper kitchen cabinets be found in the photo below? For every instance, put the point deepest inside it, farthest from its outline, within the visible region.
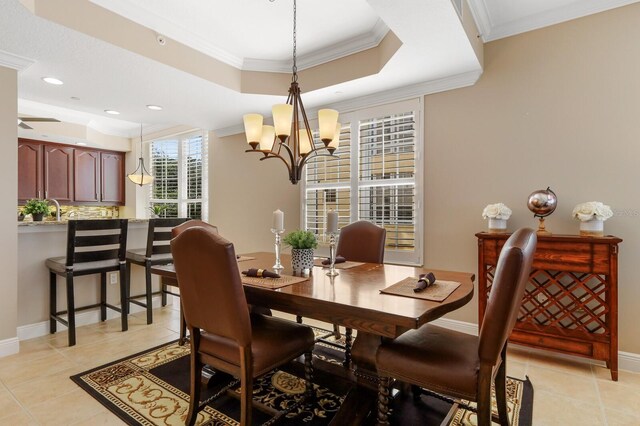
(70, 174)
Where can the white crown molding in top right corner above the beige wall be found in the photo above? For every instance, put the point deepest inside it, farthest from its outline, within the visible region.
(572, 11)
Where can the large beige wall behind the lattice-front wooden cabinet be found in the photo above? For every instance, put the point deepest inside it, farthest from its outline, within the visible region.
(559, 107)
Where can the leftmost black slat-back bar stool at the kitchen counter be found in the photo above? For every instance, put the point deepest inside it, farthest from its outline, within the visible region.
(93, 247)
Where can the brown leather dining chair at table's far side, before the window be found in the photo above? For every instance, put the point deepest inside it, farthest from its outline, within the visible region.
(360, 241)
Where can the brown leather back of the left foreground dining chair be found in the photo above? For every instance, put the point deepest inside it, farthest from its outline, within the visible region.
(210, 287)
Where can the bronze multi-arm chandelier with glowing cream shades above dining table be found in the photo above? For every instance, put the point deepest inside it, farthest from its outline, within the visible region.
(286, 140)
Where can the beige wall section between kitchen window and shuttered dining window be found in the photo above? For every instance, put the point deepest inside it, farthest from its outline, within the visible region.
(244, 192)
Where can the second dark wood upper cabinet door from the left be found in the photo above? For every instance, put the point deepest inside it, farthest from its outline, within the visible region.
(58, 172)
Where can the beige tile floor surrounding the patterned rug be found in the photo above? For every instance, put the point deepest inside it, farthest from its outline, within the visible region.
(35, 388)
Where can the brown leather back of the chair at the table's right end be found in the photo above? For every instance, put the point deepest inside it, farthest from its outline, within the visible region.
(510, 279)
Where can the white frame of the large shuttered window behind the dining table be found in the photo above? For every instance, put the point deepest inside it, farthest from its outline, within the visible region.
(414, 257)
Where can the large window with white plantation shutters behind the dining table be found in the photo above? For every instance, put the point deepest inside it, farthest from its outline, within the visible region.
(374, 177)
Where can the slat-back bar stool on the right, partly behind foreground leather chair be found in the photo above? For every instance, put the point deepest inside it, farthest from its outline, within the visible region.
(157, 252)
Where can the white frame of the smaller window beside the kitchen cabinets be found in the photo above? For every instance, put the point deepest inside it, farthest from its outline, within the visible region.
(182, 201)
